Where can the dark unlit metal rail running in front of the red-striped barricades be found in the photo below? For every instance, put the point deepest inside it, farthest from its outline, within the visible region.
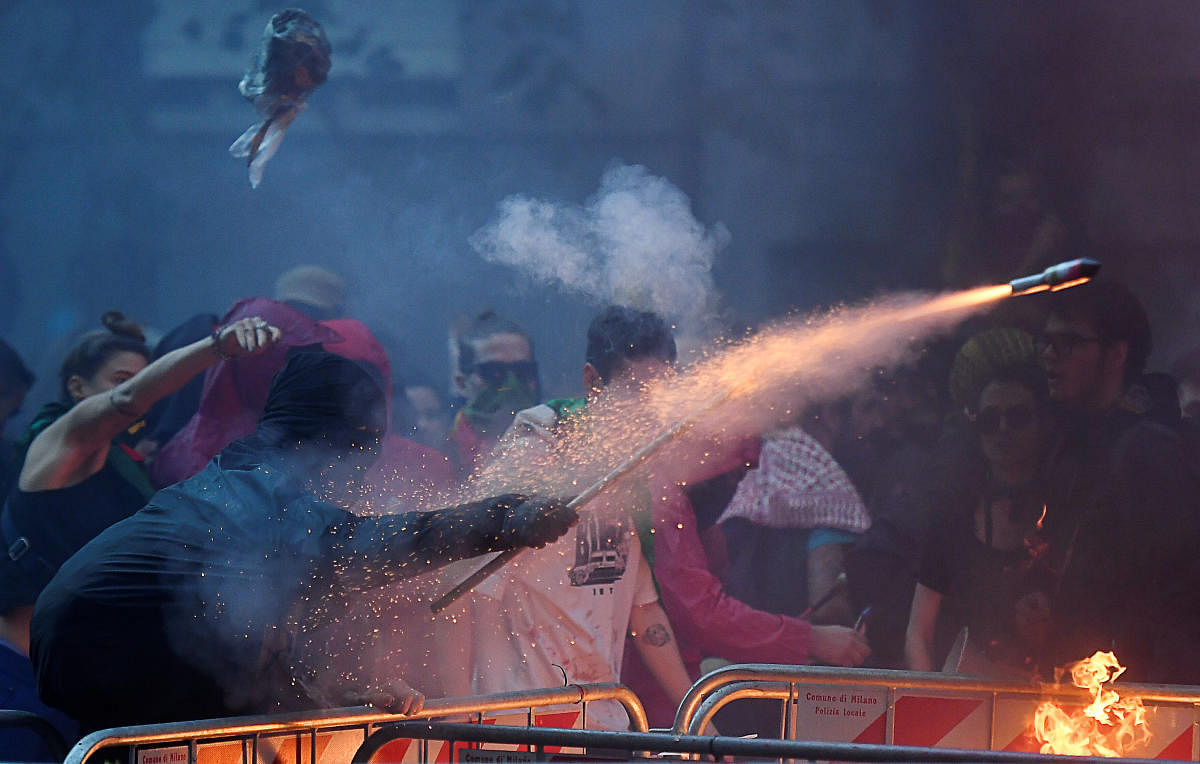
(544, 744)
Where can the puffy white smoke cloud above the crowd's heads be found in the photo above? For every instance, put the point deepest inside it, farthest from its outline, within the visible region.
(634, 243)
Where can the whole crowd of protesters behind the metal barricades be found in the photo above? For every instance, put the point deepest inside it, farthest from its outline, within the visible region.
(223, 509)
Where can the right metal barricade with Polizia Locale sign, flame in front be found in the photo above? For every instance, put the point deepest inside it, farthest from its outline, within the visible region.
(877, 707)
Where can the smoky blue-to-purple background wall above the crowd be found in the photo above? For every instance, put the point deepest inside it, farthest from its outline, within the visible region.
(839, 142)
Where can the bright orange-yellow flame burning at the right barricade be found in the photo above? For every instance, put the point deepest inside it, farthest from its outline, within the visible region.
(1109, 726)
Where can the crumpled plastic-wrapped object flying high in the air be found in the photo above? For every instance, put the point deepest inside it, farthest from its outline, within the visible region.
(292, 62)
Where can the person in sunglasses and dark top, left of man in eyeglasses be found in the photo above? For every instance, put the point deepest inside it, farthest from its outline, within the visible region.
(986, 569)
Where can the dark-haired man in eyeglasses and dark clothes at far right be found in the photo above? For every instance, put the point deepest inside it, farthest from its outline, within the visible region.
(1124, 498)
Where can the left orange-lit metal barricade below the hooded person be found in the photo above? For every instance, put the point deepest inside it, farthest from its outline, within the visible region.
(334, 735)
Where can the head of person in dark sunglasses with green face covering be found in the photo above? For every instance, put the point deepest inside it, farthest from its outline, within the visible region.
(495, 377)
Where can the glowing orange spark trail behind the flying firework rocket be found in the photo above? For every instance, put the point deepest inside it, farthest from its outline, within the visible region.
(743, 390)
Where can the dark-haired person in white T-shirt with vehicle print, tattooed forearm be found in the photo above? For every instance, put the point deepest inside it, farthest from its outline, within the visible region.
(565, 612)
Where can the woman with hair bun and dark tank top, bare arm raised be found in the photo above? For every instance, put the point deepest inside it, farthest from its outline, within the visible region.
(81, 473)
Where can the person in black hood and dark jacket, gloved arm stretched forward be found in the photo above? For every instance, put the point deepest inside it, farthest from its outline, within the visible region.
(197, 606)
